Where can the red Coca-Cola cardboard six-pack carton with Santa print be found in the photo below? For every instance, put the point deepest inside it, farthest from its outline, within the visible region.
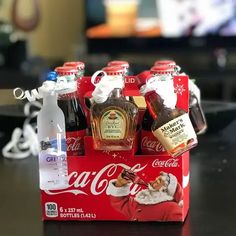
(156, 187)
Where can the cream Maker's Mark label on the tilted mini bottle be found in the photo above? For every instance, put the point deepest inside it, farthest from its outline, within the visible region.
(177, 134)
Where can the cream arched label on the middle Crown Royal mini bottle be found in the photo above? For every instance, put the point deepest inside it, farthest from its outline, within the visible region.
(113, 125)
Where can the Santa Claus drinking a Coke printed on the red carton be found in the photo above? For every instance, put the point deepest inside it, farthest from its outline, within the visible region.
(161, 200)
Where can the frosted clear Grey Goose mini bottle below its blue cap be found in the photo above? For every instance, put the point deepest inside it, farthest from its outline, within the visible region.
(51, 135)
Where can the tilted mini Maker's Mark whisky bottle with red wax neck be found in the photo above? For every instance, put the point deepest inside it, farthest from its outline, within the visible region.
(172, 127)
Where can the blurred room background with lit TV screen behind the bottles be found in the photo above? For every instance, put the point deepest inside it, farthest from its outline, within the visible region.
(38, 35)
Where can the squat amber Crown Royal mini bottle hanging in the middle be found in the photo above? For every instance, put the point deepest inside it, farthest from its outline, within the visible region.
(114, 122)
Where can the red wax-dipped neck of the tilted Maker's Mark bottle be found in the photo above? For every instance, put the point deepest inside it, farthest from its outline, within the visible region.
(154, 104)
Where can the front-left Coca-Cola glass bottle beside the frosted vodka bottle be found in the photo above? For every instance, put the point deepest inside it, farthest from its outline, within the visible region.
(75, 119)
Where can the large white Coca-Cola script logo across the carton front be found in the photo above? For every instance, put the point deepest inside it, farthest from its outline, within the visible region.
(96, 182)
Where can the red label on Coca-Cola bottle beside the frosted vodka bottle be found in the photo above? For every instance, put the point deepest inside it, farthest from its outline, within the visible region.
(75, 142)
